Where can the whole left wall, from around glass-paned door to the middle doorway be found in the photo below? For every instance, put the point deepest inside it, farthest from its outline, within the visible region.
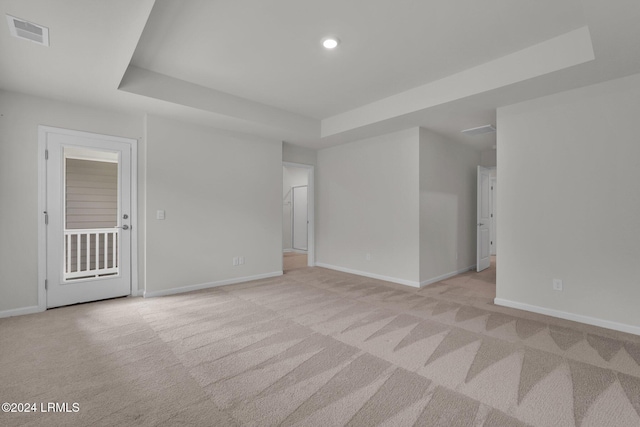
(243, 174)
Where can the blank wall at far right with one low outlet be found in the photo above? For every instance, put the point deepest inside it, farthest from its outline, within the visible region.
(569, 204)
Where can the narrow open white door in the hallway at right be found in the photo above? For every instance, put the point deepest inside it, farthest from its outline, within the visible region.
(483, 250)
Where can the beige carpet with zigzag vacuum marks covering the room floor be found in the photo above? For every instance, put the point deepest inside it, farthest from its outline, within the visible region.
(318, 348)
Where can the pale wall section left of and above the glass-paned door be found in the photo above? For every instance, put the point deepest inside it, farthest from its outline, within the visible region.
(19, 216)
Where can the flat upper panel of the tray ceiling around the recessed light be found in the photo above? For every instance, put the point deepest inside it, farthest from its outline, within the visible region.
(270, 51)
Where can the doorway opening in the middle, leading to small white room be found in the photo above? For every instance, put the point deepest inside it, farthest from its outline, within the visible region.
(297, 216)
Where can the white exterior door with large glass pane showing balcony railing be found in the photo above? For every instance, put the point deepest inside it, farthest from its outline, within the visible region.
(88, 211)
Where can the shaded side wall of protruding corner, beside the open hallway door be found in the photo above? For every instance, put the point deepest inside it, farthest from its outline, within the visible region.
(447, 207)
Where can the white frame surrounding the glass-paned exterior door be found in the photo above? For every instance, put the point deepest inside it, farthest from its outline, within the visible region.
(42, 203)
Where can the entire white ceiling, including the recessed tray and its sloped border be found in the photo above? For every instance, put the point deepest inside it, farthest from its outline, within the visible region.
(257, 66)
